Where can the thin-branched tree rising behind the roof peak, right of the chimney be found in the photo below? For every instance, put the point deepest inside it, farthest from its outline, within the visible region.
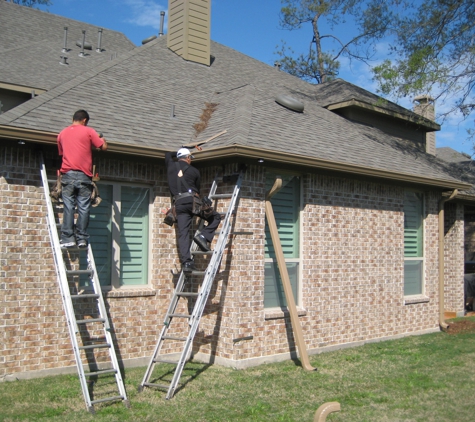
(321, 63)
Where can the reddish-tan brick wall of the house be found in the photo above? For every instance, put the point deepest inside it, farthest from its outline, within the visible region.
(351, 260)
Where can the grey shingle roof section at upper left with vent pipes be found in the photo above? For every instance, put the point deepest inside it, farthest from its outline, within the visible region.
(31, 44)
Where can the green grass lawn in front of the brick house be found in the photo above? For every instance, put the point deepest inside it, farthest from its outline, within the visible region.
(421, 378)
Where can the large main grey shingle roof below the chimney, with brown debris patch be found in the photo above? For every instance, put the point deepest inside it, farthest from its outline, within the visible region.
(150, 96)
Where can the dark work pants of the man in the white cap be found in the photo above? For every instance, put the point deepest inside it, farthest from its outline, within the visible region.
(184, 217)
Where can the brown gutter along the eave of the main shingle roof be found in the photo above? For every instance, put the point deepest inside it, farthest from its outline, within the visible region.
(249, 155)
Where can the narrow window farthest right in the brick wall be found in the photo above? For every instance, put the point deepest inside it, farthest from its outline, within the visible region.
(413, 243)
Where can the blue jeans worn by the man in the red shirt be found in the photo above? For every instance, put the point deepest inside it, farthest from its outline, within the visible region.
(76, 191)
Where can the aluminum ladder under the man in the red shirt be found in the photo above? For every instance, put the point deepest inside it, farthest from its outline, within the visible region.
(71, 303)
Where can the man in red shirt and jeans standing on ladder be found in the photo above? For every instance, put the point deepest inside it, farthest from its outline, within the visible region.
(75, 144)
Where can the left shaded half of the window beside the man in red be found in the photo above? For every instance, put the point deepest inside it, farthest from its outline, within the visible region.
(100, 237)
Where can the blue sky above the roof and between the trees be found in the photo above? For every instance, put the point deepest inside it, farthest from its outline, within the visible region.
(248, 26)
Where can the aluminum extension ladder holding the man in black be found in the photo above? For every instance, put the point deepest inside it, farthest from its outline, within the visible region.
(201, 296)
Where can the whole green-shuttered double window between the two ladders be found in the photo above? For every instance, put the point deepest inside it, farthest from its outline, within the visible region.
(118, 230)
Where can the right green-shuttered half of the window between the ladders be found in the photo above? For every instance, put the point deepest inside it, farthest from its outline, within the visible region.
(134, 235)
